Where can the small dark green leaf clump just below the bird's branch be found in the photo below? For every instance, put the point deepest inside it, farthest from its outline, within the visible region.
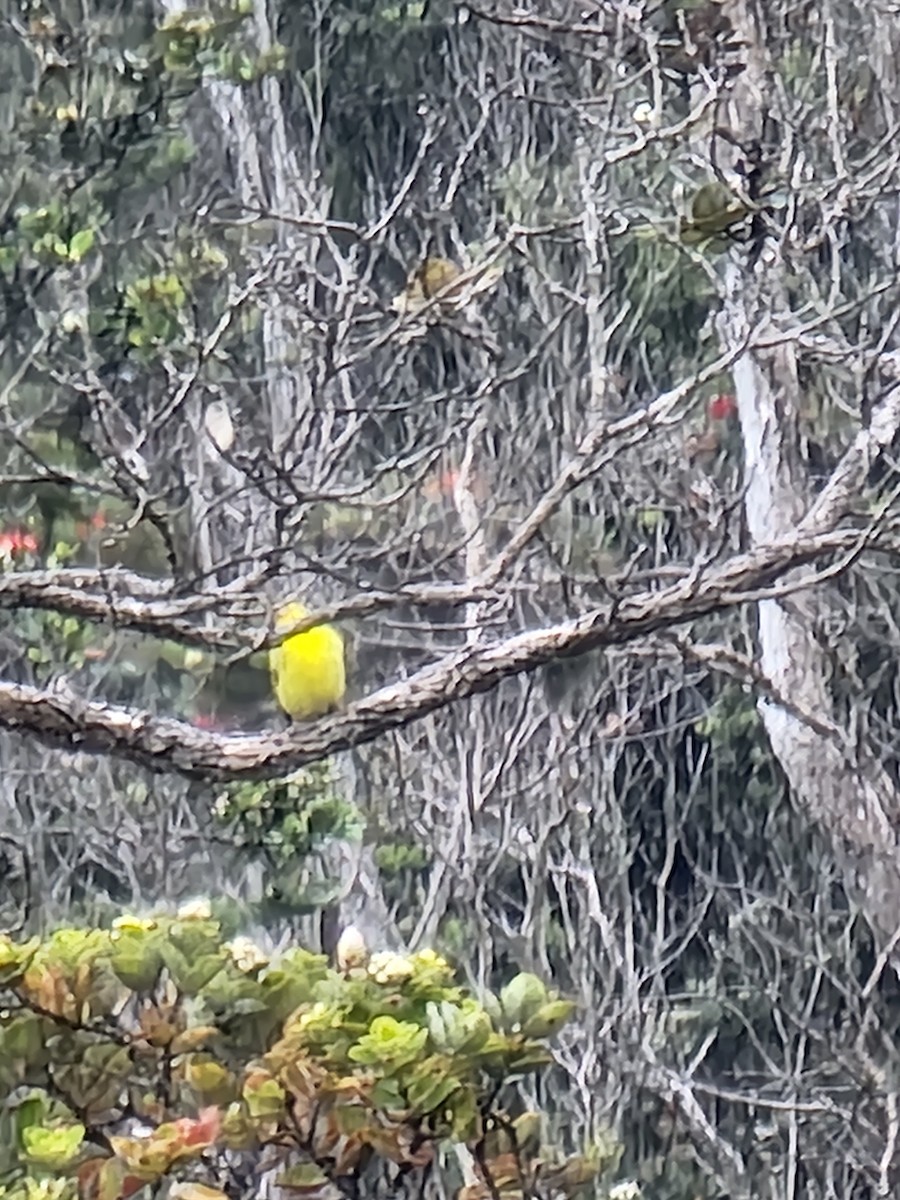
(290, 818)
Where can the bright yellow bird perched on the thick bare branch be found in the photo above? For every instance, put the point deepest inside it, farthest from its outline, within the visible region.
(308, 670)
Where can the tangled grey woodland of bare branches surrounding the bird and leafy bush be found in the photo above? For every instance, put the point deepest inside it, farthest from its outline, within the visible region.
(664, 393)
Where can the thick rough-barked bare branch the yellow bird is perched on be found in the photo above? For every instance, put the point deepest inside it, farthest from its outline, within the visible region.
(169, 746)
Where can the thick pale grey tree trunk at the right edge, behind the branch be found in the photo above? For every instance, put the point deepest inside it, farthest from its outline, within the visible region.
(848, 795)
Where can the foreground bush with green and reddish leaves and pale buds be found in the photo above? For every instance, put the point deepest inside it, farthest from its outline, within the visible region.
(157, 1051)
